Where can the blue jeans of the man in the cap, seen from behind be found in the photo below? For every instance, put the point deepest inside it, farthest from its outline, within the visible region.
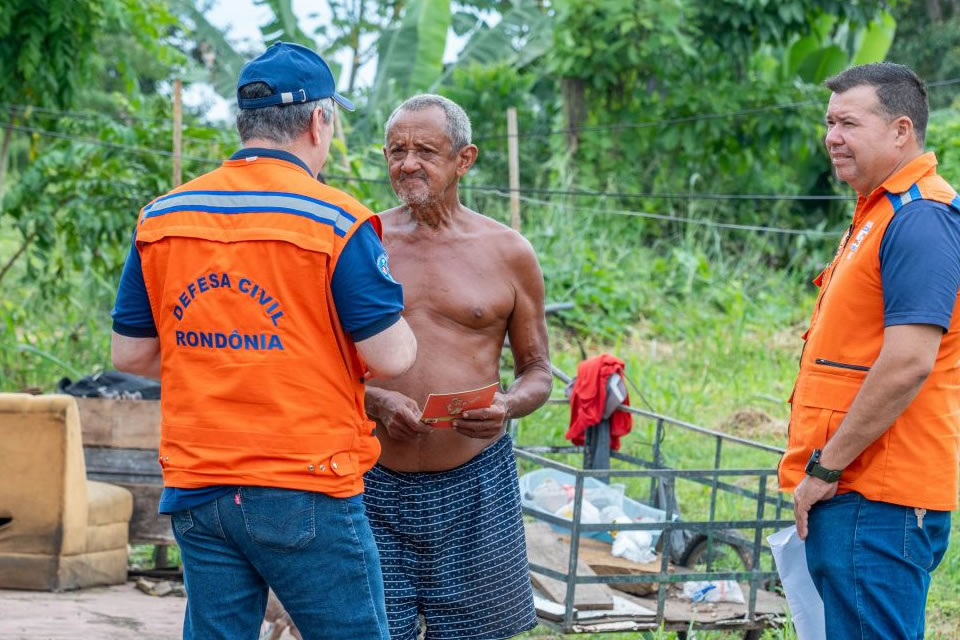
(317, 553)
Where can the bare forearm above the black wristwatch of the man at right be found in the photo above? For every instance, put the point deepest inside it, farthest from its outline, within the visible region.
(887, 391)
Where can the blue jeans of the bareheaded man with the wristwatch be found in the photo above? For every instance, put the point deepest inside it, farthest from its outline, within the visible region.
(871, 563)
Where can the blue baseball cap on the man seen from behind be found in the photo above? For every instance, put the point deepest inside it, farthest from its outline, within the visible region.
(294, 72)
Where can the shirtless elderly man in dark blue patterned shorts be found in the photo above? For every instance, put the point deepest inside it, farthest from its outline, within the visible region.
(444, 503)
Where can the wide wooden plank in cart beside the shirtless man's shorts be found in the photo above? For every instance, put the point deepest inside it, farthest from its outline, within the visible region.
(546, 548)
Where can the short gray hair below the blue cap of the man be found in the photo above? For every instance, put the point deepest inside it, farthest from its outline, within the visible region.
(279, 123)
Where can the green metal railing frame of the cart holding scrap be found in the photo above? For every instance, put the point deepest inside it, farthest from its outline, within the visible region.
(718, 479)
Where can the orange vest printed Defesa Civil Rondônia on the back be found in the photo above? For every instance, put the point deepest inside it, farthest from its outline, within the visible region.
(260, 384)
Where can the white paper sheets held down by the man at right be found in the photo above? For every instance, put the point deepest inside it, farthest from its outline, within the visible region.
(806, 607)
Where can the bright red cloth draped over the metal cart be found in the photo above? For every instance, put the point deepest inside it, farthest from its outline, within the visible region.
(589, 396)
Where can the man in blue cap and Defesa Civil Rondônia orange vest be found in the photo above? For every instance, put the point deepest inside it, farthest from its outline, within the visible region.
(261, 298)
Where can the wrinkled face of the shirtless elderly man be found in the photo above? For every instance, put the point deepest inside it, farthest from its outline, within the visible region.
(420, 156)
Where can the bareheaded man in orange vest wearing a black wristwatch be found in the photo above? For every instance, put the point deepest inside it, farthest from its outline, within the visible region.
(874, 431)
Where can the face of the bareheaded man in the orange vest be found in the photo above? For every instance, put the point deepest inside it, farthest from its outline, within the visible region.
(861, 139)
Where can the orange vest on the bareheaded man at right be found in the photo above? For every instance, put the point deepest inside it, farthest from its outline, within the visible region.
(914, 463)
